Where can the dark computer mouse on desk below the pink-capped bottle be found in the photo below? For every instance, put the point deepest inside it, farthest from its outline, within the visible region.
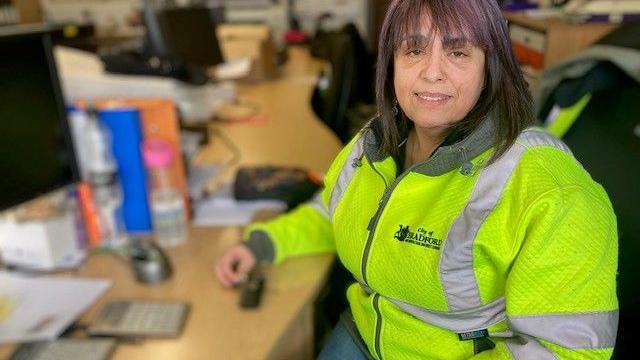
(150, 264)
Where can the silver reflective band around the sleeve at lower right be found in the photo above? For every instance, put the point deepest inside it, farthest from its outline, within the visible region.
(595, 330)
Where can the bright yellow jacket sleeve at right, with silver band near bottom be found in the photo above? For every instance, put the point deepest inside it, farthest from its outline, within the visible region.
(561, 290)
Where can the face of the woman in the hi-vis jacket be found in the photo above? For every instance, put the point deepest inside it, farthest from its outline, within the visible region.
(437, 80)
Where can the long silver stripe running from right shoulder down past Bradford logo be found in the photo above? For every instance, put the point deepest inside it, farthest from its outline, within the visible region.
(456, 261)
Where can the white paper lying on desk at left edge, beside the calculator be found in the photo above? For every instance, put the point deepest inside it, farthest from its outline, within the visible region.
(41, 308)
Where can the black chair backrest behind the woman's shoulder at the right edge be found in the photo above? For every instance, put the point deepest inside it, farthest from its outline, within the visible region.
(606, 141)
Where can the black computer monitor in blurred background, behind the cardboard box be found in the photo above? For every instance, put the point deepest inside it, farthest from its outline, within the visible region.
(190, 34)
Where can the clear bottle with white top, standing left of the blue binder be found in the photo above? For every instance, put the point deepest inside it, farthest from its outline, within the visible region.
(102, 173)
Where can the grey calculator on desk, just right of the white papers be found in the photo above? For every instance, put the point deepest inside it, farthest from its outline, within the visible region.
(139, 318)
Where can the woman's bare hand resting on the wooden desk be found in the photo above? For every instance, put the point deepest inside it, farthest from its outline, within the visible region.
(234, 265)
